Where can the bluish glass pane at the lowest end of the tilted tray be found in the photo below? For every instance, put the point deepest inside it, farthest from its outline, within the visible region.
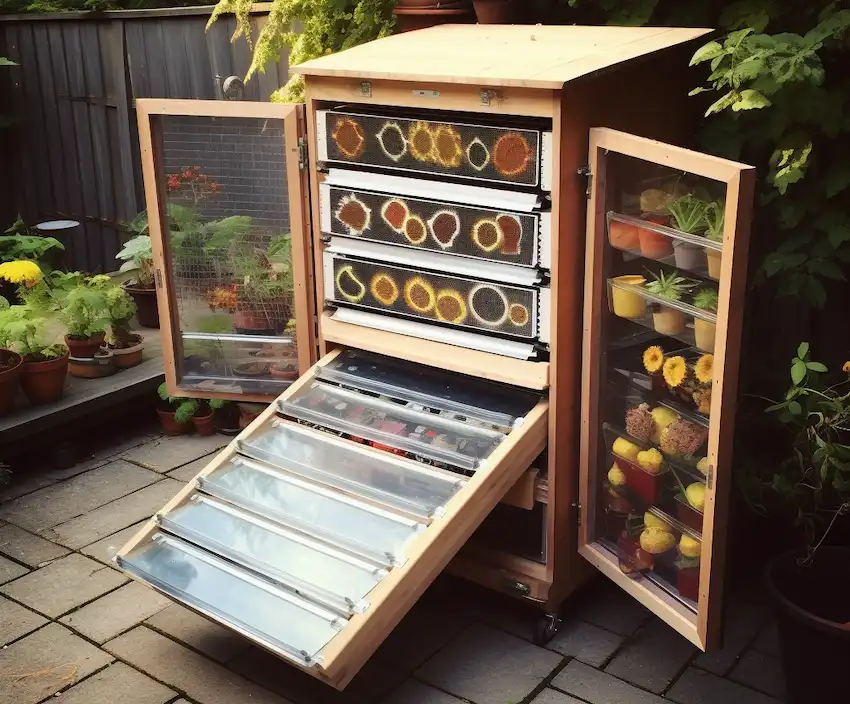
(281, 621)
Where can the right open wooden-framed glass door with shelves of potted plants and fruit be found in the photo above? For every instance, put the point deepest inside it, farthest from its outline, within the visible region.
(666, 266)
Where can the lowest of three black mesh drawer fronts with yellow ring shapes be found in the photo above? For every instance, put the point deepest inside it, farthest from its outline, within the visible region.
(459, 301)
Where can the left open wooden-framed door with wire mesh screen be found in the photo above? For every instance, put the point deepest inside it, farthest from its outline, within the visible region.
(227, 208)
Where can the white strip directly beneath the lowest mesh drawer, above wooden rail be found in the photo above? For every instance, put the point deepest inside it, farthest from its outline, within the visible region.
(482, 343)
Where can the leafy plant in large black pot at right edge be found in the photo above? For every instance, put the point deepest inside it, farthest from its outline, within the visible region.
(811, 489)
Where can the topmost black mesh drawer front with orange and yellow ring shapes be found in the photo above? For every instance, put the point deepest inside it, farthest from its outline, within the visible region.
(482, 153)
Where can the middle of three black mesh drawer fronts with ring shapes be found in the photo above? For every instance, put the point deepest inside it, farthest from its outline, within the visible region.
(425, 224)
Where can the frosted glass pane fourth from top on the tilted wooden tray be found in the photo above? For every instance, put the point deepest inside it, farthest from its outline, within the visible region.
(328, 515)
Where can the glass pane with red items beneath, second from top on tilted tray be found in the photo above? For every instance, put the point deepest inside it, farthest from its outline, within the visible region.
(392, 426)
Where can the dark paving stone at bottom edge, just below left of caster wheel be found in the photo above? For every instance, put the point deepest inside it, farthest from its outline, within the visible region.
(488, 666)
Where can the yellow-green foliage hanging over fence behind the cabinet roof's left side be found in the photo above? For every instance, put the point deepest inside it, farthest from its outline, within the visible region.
(307, 29)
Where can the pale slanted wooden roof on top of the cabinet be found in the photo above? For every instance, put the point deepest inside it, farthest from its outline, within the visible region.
(531, 56)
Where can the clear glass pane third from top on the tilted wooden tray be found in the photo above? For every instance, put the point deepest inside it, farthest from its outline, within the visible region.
(403, 485)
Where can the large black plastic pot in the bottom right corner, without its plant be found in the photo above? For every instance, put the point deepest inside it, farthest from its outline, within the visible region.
(813, 618)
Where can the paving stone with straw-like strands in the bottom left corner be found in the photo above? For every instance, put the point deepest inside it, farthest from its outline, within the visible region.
(45, 662)
